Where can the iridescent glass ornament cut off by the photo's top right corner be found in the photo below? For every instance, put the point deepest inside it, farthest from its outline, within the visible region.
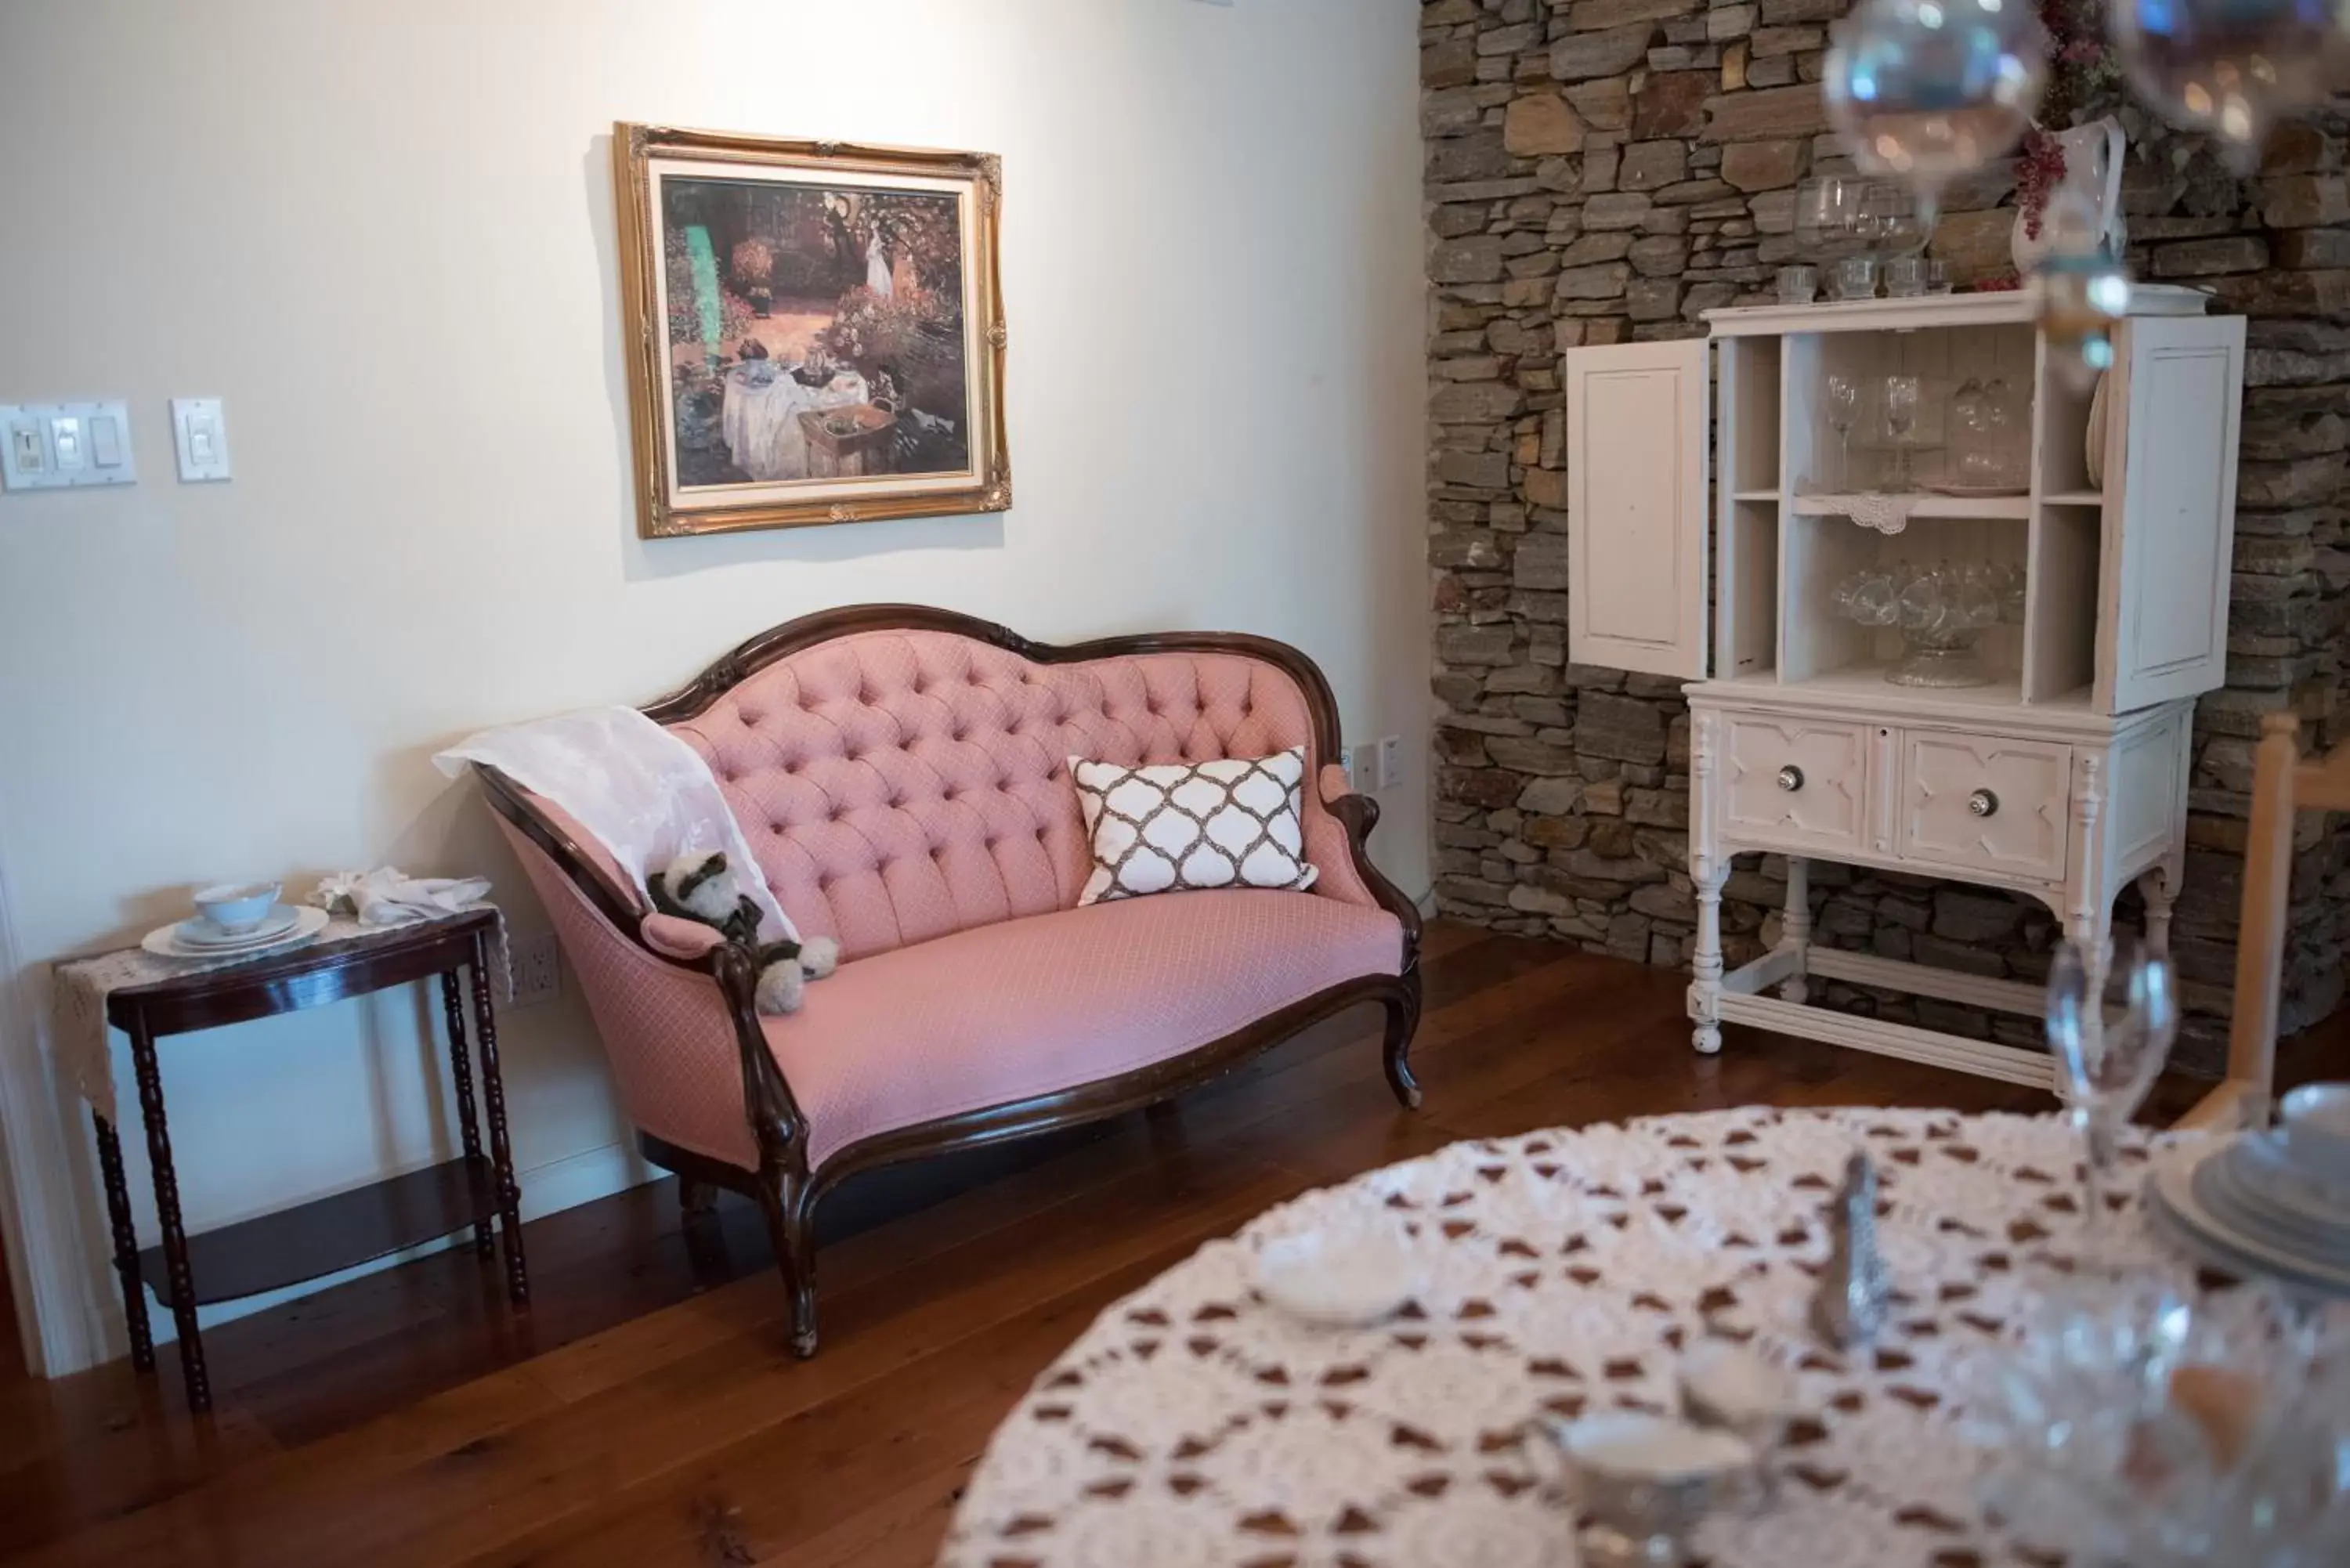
(2229, 67)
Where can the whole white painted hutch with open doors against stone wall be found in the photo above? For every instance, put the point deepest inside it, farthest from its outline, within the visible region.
(2067, 777)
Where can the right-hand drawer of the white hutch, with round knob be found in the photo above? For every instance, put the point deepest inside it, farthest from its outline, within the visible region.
(1985, 803)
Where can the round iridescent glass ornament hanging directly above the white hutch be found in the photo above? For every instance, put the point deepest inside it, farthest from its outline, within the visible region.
(1931, 91)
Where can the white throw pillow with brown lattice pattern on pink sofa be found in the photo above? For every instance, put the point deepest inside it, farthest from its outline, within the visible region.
(1195, 826)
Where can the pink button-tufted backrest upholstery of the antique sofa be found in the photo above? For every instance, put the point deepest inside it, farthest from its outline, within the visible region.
(911, 784)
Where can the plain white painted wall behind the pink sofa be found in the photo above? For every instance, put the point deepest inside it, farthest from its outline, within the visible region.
(384, 234)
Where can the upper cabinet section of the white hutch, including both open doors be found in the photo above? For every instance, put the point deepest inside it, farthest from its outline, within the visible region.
(2010, 535)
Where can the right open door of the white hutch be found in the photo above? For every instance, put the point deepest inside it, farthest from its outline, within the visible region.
(2173, 537)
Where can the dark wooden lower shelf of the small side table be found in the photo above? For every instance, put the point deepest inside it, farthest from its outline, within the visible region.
(335, 1233)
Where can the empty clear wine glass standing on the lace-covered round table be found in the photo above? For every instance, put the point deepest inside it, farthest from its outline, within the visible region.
(2104, 1066)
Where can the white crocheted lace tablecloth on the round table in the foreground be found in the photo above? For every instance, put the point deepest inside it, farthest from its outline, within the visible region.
(1197, 1426)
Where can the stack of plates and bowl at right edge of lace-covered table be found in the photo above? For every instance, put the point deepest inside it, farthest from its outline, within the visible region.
(2269, 1205)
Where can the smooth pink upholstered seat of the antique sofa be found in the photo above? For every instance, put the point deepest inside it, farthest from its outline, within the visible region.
(1047, 1003)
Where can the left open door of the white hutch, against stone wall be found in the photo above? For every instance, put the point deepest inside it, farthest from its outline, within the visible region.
(1637, 507)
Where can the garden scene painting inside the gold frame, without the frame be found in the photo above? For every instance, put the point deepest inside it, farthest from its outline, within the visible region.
(817, 333)
